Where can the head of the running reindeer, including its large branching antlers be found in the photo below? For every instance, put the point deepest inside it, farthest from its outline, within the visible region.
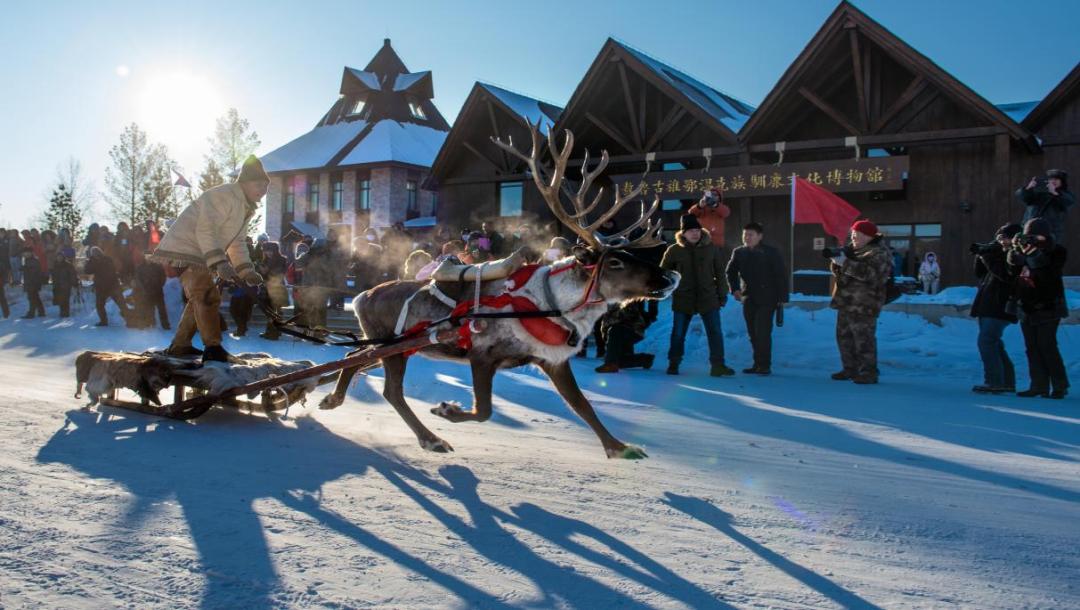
(618, 275)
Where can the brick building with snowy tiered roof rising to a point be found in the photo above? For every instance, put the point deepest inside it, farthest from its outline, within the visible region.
(367, 160)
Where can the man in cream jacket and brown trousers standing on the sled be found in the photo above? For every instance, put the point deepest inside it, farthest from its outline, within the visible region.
(208, 240)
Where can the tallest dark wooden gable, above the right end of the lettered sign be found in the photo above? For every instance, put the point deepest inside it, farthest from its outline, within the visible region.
(856, 78)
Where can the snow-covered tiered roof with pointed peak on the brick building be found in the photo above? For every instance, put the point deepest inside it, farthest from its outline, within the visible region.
(386, 129)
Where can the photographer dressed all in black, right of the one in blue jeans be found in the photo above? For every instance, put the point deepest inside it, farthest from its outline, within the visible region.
(1037, 261)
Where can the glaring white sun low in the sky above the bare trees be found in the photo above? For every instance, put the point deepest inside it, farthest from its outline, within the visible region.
(180, 110)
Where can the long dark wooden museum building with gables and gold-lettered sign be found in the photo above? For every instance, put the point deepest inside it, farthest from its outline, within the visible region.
(859, 112)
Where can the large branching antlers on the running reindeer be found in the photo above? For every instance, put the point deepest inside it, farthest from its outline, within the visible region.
(577, 221)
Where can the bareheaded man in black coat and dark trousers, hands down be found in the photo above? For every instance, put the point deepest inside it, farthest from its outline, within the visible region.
(759, 279)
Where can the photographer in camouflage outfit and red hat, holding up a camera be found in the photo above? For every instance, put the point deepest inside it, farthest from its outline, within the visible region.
(862, 269)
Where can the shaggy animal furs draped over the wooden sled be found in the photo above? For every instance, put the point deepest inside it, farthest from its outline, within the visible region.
(148, 374)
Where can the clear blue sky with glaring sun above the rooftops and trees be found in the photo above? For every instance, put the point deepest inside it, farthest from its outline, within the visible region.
(76, 73)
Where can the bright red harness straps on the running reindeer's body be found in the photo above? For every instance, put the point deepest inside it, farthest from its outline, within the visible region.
(543, 330)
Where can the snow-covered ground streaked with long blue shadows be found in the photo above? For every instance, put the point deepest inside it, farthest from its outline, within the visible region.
(790, 492)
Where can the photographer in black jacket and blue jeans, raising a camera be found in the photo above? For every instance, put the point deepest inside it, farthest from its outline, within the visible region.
(995, 309)
